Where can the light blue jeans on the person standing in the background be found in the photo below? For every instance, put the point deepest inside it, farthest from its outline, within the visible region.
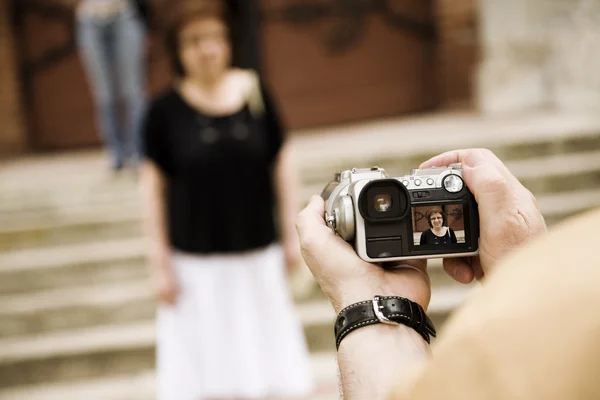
(112, 51)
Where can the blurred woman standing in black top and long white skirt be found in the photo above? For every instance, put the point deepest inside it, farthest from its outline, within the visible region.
(216, 166)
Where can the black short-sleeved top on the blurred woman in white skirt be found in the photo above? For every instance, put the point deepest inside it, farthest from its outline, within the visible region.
(218, 169)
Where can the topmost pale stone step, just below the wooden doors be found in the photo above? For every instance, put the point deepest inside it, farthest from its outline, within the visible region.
(396, 141)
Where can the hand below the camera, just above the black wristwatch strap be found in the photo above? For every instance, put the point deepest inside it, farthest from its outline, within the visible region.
(345, 277)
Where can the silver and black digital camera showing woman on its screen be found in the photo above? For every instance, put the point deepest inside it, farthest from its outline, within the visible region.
(429, 213)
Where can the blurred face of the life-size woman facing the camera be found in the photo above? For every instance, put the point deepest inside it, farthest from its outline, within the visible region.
(204, 48)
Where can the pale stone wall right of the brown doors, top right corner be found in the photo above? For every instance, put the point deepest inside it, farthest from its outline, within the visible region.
(539, 54)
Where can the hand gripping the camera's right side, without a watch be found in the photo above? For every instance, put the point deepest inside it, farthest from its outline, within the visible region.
(508, 212)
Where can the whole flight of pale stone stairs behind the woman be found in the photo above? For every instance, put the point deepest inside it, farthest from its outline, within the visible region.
(76, 311)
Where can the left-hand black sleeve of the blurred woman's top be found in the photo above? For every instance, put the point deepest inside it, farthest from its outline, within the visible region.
(154, 136)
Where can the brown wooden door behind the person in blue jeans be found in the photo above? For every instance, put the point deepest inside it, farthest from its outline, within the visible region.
(58, 103)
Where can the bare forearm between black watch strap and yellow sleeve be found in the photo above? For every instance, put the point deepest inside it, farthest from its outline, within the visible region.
(372, 359)
